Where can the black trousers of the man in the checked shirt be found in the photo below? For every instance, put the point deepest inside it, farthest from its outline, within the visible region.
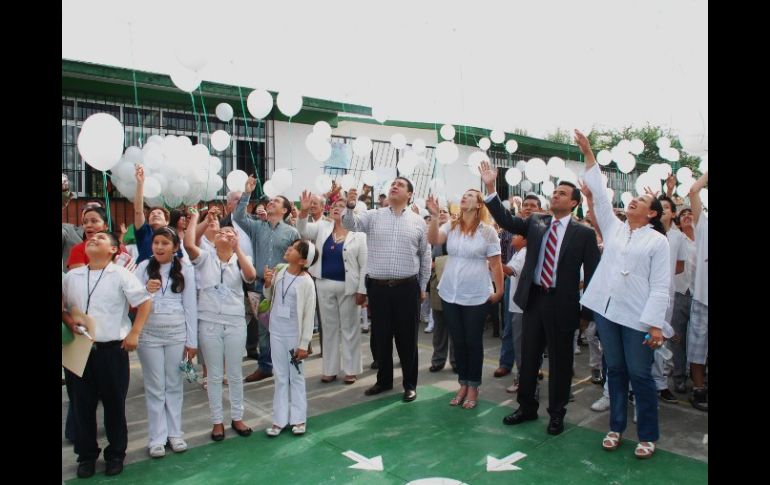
(395, 313)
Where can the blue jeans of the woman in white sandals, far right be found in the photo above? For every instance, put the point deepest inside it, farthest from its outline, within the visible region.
(628, 360)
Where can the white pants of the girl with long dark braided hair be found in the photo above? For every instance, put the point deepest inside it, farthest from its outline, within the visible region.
(163, 390)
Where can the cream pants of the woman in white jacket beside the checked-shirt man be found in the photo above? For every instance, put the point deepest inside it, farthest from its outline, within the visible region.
(342, 334)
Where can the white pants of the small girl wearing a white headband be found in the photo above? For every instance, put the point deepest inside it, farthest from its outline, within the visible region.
(289, 385)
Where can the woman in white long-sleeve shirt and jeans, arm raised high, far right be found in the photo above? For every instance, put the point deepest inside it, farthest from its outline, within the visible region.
(629, 295)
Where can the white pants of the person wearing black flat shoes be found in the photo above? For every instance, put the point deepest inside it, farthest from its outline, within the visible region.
(223, 344)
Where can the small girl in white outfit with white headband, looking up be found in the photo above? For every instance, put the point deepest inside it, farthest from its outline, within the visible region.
(292, 293)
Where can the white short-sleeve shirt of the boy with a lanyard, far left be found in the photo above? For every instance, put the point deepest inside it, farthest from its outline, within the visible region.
(105, 295)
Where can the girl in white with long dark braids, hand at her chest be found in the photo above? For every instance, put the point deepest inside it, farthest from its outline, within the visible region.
(169, 337)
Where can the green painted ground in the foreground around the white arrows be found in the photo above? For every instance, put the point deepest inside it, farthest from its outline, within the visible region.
(418, 440)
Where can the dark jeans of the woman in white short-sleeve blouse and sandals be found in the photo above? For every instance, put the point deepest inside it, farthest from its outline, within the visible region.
(466, 326)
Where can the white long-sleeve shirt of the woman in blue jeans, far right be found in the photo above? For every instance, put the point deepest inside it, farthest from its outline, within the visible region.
(631, 283)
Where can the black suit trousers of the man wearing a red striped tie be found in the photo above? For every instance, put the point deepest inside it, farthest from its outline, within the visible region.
(541, 327)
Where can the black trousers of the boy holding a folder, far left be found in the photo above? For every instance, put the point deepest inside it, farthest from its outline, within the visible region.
(105, 377)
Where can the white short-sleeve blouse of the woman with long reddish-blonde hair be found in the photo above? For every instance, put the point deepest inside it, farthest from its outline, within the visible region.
(466, 279)
